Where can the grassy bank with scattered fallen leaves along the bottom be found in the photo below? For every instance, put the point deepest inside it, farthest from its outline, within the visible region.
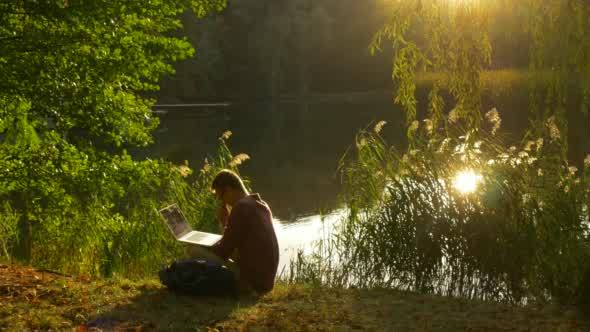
(36, 300)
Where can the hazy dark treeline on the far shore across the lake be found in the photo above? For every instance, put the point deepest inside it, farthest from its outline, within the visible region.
(260, 49)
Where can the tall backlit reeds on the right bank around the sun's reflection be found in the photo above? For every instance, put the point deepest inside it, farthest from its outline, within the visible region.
(523, 235)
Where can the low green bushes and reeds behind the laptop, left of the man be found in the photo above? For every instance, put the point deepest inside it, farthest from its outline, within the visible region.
(105, 220)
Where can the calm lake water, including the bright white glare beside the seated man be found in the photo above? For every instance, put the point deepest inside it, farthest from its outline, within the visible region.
(295, 150)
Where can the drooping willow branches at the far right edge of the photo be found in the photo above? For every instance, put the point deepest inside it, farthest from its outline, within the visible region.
(561, 47)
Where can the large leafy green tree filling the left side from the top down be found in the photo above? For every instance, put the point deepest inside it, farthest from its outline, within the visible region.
(75, 74)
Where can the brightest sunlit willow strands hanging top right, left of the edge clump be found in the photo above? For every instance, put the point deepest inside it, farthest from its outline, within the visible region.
(446, 37)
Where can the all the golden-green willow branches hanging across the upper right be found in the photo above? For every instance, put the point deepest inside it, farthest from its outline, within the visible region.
(454, 39)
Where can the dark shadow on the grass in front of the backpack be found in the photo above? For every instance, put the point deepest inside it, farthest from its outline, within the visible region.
(160, 309)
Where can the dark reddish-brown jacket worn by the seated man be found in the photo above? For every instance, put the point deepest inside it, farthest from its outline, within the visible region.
(249, 230)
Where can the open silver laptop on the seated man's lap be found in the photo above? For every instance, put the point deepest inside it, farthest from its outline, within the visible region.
(182, 231)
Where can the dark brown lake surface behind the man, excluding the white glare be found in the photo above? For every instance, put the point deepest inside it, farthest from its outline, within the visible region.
(294, 152)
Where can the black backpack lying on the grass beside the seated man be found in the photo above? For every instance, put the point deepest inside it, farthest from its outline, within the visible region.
(199, 277)
